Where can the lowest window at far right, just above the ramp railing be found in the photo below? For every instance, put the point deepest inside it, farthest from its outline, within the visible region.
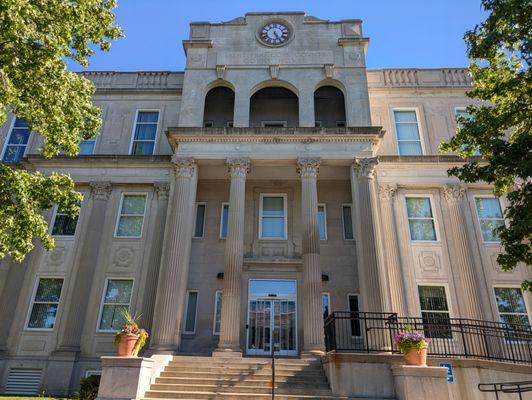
(511, 306)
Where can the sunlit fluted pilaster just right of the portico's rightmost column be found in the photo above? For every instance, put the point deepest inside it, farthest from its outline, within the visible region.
(391, 245)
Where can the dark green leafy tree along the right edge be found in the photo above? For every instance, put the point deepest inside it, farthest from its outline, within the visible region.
(500, 127)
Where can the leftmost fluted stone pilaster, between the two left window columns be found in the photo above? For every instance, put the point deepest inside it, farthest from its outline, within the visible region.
(70, 338)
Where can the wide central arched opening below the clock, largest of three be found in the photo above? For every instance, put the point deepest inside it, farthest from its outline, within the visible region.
(274, 106)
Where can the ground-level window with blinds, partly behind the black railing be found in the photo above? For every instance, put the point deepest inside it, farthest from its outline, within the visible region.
(435, 312)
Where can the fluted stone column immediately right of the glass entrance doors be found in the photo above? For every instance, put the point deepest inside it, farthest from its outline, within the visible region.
(313, 336)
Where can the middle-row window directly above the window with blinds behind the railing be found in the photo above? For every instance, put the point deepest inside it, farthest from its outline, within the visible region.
(420, 218)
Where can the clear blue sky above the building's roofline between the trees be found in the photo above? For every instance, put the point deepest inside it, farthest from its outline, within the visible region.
(403, 33)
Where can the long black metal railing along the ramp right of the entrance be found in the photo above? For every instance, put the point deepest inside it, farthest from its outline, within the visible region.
(450, 337)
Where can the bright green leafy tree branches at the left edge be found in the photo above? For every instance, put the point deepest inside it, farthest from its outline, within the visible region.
(36, 38)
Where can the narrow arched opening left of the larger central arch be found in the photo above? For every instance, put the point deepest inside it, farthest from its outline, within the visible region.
(219, 107)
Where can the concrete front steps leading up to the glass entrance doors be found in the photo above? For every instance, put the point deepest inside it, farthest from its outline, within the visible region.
(246, 378)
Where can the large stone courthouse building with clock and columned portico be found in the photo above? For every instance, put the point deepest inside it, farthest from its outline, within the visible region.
(236, 203)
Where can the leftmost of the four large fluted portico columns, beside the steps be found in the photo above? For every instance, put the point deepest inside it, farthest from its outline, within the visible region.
(173, 276)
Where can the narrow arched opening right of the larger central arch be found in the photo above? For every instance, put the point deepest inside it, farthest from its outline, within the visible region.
(329, 107)
